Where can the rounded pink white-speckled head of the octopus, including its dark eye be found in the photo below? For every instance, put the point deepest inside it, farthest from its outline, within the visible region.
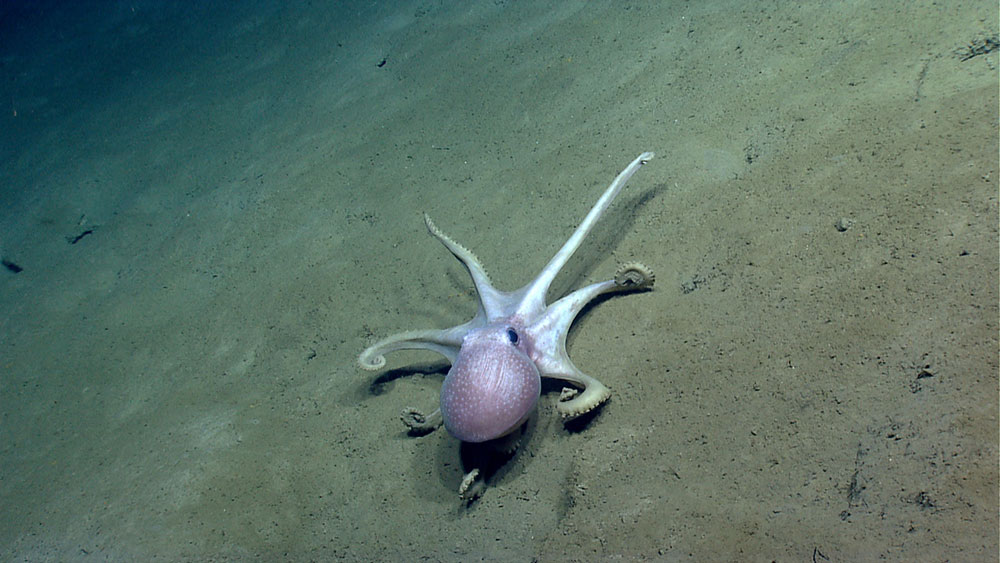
(493, 385)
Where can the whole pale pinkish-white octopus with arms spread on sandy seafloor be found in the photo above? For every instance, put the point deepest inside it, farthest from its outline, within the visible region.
(499, 357)
